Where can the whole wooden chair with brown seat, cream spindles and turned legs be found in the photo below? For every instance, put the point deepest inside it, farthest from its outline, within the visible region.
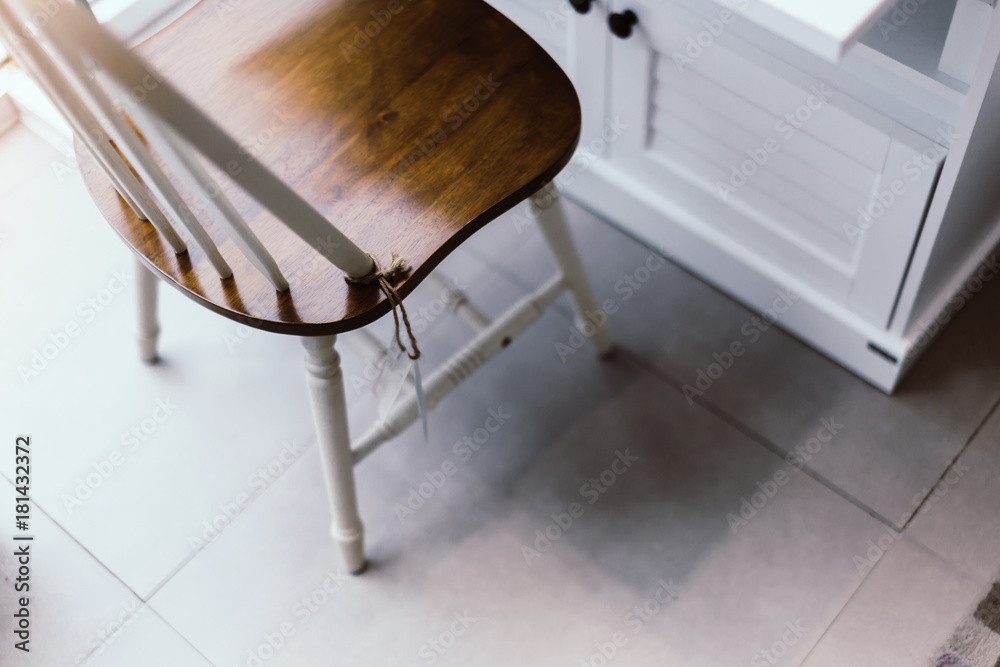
(370, 130)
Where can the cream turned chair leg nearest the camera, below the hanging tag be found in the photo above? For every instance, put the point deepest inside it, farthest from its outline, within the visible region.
(326, 392)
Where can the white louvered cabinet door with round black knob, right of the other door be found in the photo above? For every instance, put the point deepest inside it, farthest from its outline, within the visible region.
(804, 182)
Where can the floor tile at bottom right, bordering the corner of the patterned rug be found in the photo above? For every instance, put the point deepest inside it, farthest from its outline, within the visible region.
(905, 611)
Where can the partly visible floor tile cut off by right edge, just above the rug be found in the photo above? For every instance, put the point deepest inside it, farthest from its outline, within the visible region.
(960, 520)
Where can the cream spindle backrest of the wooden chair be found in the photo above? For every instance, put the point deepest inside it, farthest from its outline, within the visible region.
(84, 69)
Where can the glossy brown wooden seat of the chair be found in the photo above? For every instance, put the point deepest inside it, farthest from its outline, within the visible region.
(408, 124)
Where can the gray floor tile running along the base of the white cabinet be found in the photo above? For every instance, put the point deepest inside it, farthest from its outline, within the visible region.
(891, 447)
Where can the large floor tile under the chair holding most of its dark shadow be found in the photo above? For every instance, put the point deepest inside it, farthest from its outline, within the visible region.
(462, 550)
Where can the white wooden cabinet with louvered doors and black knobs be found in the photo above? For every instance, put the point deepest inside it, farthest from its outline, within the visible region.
(762, 161)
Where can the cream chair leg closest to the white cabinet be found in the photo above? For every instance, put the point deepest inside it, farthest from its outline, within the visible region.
(546, 207)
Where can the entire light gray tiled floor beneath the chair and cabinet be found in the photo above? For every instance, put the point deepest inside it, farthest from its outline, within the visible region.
(205, 542)
